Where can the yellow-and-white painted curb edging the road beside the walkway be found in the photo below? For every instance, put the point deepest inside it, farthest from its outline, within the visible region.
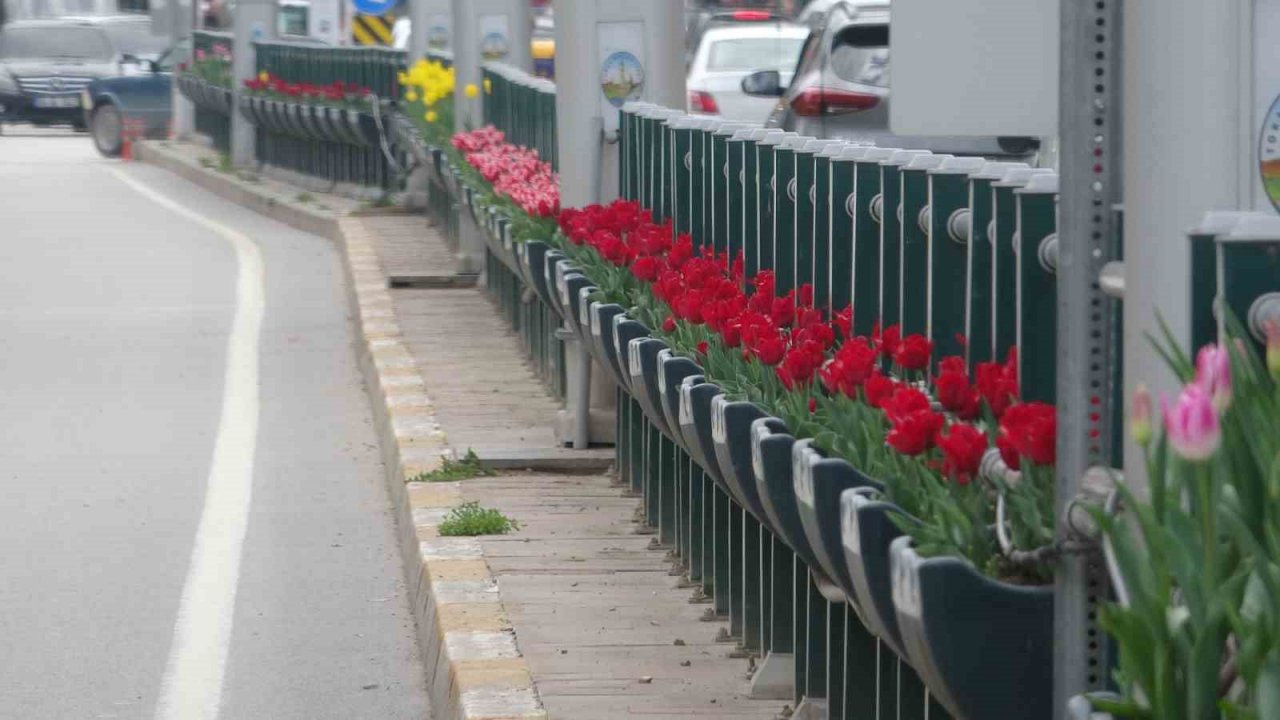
(474, 668)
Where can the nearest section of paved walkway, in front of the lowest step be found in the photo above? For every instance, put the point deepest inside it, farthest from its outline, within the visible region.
(605, 628)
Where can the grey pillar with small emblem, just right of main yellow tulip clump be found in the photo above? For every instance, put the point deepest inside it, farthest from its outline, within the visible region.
(483, 31)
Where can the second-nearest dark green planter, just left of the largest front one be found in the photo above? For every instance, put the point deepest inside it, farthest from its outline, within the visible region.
(868, 531)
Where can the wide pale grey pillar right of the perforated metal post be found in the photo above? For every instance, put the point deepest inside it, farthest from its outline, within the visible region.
(1182, 160)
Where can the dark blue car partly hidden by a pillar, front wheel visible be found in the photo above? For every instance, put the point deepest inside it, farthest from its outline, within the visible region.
(144, 98)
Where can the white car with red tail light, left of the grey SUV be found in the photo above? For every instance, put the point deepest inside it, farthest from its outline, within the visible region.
(730, 53)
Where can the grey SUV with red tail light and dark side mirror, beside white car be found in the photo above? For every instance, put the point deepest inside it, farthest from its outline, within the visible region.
(842, 89)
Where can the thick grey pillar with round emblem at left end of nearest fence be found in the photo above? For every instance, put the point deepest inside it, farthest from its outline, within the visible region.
(595, 38)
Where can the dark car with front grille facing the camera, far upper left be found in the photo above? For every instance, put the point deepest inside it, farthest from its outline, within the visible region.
(47, 65)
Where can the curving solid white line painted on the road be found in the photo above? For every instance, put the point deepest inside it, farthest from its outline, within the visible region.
(193, 682)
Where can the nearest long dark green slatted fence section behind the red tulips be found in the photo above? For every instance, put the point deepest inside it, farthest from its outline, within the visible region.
(958, 249)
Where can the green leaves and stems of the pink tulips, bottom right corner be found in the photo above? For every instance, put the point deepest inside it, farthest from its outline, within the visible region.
(1200, 635)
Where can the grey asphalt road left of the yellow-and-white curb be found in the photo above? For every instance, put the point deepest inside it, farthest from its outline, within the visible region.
(132, 379)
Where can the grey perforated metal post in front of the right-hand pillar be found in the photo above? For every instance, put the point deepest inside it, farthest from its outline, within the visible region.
(1090, 186)
